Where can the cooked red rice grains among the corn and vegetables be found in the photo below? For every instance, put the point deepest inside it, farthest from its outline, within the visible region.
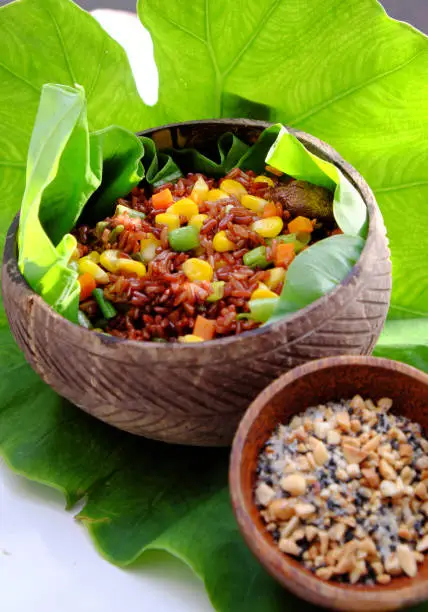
(164, 304)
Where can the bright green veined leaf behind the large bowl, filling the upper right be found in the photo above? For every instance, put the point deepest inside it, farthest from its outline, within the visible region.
(342, 71)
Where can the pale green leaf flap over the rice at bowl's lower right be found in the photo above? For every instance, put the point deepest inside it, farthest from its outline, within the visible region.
(317, 271)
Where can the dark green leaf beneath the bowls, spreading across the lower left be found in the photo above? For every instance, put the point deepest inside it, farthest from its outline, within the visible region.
(141, 495)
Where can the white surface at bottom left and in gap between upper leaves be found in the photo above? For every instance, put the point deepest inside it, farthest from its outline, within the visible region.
(47, 560)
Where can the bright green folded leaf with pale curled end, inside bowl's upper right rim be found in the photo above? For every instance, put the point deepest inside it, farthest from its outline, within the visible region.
(289, 155)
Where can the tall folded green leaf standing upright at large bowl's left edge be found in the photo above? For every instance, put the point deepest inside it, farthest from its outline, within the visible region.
(59, 181)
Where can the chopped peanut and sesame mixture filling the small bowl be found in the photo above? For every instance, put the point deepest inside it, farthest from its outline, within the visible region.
(344, 489)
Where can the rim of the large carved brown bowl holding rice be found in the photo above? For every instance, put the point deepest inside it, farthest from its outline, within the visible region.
(191, 350)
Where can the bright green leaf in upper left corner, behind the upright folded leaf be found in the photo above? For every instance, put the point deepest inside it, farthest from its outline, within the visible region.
(54, 41)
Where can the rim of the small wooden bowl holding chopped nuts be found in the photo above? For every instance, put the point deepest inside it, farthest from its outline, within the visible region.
(327, 594)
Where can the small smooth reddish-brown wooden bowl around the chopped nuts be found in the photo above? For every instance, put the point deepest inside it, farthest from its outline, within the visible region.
(308, 385)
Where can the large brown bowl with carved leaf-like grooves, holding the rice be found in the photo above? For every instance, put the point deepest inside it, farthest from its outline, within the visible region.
(196, 394)
